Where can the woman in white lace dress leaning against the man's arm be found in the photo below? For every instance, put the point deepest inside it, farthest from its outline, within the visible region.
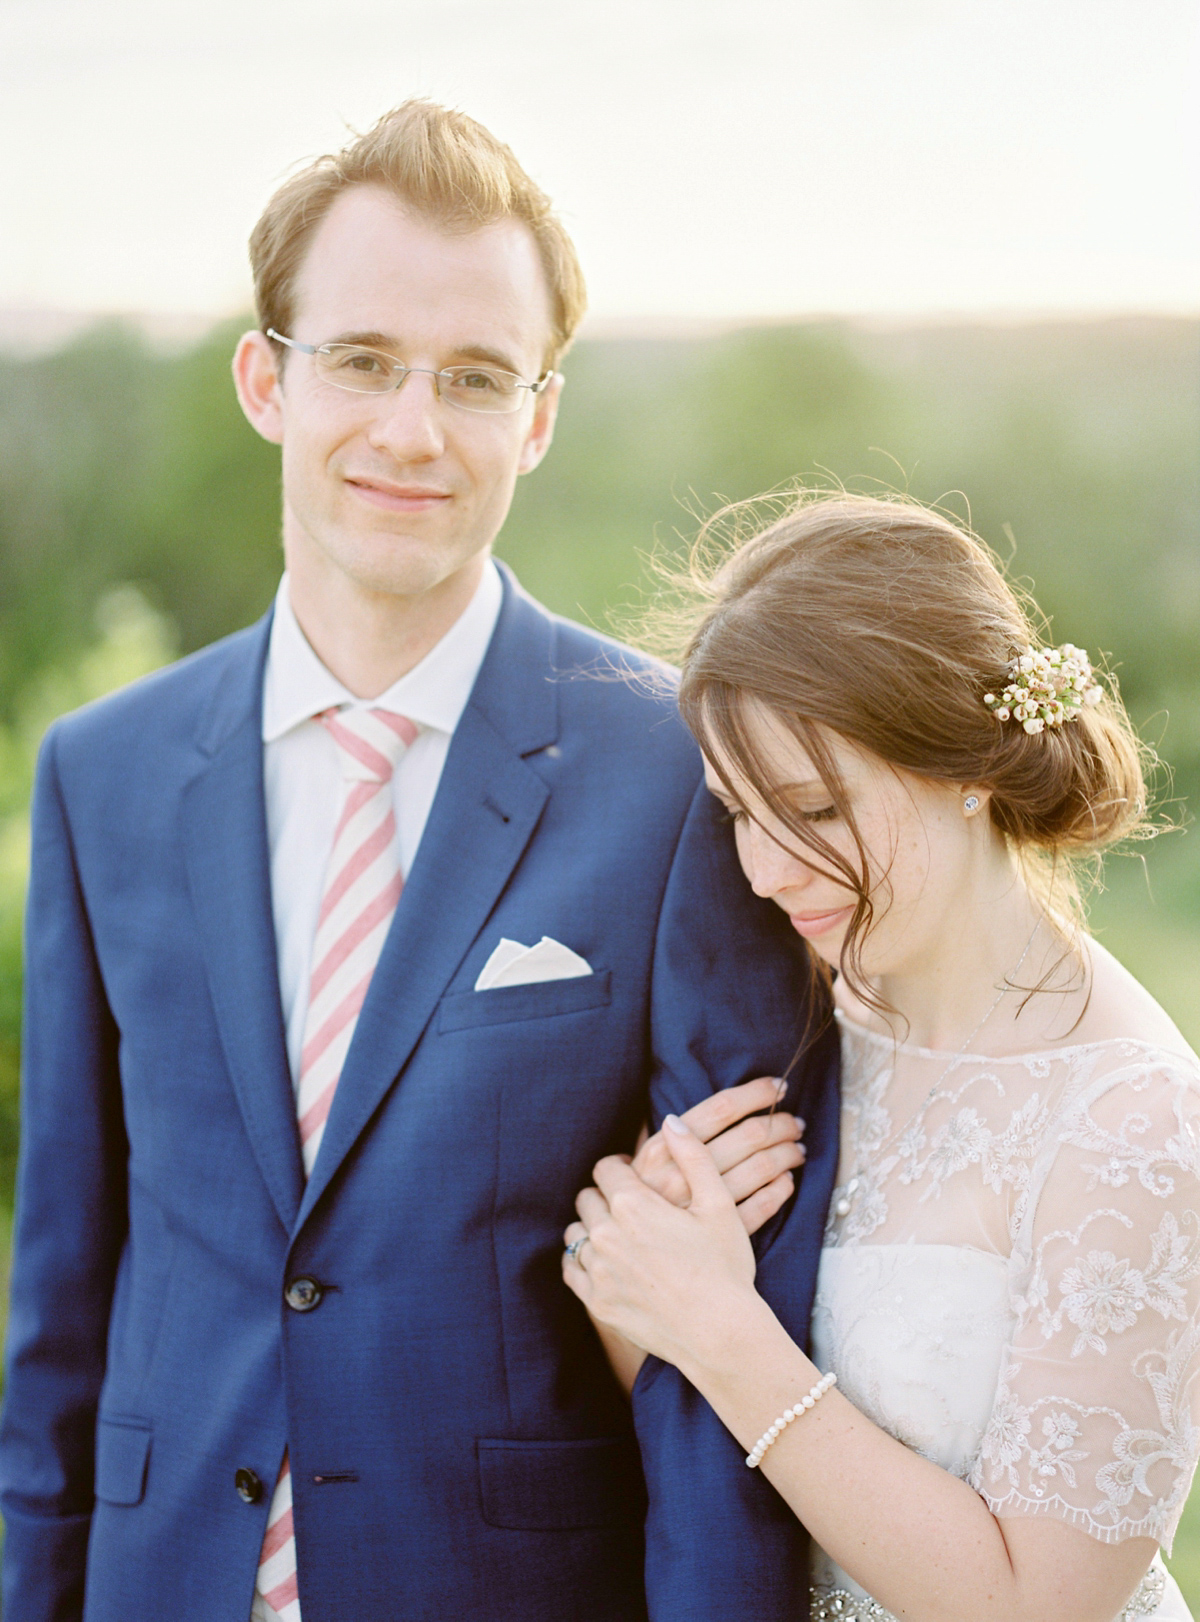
(996, 1420)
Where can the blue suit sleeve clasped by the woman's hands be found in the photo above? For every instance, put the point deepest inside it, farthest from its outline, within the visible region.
(732, 1002)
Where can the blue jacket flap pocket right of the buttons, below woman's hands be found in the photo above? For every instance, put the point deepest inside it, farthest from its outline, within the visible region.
(562, 1487)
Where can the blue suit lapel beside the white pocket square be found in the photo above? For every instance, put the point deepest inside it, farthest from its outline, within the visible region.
(487, 807)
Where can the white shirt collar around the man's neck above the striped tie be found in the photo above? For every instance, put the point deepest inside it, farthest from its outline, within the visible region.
(298, 685)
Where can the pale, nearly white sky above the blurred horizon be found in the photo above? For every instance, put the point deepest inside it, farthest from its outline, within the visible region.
(713, 158)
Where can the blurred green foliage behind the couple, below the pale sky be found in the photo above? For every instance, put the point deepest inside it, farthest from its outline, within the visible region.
(140, 518)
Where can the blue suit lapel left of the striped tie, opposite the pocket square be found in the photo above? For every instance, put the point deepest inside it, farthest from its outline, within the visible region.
(229, 877)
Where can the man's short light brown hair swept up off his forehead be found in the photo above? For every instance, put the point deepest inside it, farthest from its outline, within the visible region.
(445, 166)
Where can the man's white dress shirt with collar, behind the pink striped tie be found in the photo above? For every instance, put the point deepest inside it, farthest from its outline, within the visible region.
(304, 783)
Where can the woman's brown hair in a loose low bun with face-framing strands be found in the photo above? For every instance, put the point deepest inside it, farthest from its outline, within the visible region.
(885, 622)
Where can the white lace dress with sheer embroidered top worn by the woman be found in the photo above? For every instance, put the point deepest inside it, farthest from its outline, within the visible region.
(1011, 1284)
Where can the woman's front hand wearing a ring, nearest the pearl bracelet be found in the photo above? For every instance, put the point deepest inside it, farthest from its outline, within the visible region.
(669, 1279)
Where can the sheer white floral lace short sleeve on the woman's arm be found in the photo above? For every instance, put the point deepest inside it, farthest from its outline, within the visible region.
(1097, 1415)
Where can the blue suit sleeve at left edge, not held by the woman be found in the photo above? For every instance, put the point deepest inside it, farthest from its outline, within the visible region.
(69, 1234)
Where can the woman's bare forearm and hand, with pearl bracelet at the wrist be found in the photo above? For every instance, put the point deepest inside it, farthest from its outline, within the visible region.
(682, 1285)
